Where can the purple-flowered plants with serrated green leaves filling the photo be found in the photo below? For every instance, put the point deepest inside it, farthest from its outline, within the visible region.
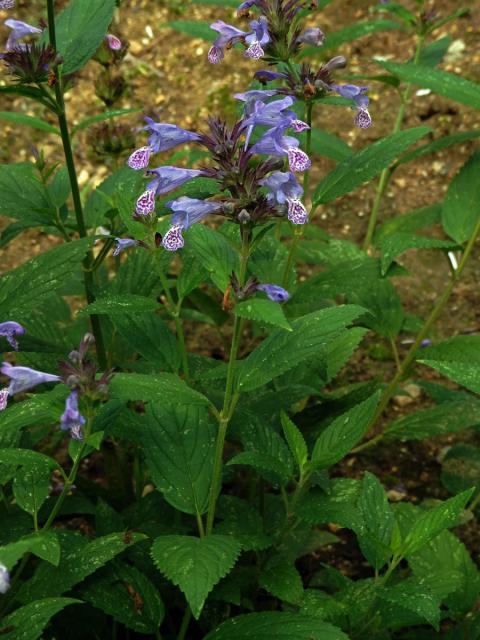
(198, 379)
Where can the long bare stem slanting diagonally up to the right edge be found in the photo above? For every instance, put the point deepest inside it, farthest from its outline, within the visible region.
(410, 356)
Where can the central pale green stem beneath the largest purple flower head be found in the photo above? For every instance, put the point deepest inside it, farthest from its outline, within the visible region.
(230, 399)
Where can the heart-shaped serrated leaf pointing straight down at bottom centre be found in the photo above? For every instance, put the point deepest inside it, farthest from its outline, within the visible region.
(195, 565)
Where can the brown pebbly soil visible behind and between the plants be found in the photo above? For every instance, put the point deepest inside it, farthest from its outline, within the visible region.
(169, 78)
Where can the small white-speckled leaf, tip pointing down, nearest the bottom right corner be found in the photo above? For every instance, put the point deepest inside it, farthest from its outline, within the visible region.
(416, 597)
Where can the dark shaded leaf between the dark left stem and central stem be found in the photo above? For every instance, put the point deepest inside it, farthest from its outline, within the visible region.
(149, 336)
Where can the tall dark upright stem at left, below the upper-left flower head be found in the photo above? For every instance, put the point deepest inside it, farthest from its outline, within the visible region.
(77, 202)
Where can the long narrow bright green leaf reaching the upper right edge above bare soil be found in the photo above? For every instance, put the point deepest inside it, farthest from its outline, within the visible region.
(445, 84)
